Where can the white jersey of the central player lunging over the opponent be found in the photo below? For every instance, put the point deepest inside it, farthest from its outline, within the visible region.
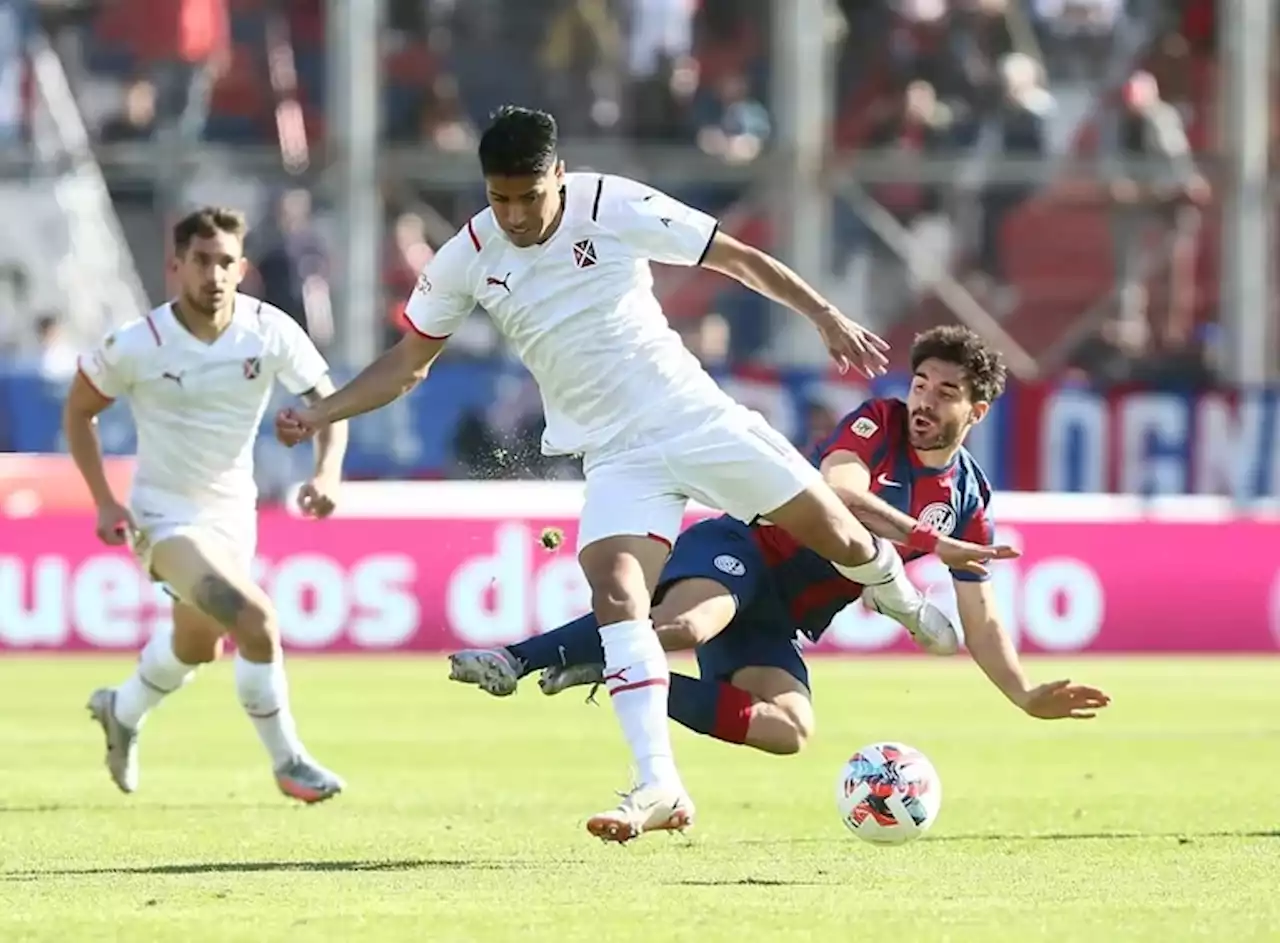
(580, 310)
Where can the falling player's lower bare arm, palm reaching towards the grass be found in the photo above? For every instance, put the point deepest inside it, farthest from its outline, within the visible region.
(994, 651)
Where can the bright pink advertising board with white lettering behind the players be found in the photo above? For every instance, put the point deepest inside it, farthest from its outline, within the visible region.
(435, 584)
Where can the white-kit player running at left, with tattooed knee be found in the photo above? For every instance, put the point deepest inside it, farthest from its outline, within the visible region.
(198, 374)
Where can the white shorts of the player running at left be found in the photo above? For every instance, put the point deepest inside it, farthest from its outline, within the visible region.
(227, 533)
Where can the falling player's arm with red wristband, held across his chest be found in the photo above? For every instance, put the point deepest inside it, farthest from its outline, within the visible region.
(851, 479)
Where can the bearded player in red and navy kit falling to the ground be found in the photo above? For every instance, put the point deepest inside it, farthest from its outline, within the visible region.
(738, 596)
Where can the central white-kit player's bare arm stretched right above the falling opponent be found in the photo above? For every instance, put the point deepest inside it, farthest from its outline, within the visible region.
(851, 345)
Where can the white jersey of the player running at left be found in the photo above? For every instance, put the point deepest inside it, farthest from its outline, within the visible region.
(198, 406)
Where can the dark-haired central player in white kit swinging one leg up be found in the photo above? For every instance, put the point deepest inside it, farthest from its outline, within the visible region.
(561, 263)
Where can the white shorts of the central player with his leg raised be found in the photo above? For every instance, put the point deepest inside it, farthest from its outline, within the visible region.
(737, 463)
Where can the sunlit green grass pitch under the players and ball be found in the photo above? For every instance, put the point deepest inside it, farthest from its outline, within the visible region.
(464, 820)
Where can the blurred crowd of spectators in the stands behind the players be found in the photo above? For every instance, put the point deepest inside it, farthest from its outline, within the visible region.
(1112, 276)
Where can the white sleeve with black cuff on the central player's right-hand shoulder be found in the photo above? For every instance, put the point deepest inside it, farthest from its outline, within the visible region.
(655, 226)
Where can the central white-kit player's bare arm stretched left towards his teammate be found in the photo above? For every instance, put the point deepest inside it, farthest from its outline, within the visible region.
(383, 382)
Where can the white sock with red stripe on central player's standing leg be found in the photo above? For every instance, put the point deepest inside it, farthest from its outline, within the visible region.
(637, 679)
